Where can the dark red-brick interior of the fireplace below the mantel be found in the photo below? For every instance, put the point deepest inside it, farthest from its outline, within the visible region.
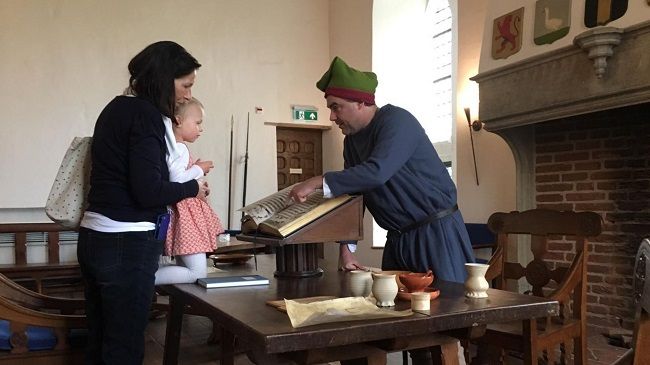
(600, 162)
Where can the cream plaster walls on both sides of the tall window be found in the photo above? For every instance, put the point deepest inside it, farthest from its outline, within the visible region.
(64, 60)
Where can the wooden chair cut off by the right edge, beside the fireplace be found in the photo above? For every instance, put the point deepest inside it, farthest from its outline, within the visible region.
(642, 298)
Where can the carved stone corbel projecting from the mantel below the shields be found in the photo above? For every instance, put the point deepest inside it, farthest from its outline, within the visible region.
(599, 43)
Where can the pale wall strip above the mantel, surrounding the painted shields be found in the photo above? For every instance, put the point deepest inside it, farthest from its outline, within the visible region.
(638, 11)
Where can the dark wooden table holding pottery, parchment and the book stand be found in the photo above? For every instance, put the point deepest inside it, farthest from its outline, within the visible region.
(244, 314)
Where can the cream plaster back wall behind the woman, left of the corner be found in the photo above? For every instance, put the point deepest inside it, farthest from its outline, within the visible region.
(63, 60)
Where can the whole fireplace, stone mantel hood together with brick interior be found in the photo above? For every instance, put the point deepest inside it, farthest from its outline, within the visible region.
(583, 143)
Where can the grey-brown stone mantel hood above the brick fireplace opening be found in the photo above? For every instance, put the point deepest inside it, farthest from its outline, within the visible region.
(562, 83)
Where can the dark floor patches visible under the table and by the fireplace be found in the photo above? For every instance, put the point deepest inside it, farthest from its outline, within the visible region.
(195, 351)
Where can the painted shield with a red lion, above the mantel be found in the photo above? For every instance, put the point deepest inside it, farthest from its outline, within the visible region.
(507, 34)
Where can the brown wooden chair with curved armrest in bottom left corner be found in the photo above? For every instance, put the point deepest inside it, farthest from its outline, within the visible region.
(24, 309)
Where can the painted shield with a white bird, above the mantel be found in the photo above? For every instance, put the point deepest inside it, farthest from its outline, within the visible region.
(552, 20)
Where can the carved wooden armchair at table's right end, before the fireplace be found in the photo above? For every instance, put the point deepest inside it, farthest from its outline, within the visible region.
(569, 328)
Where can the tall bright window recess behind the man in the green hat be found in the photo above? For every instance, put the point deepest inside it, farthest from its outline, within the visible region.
(412, 56)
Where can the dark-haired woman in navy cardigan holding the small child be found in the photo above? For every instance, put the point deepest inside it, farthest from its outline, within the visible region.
(123, 229)
